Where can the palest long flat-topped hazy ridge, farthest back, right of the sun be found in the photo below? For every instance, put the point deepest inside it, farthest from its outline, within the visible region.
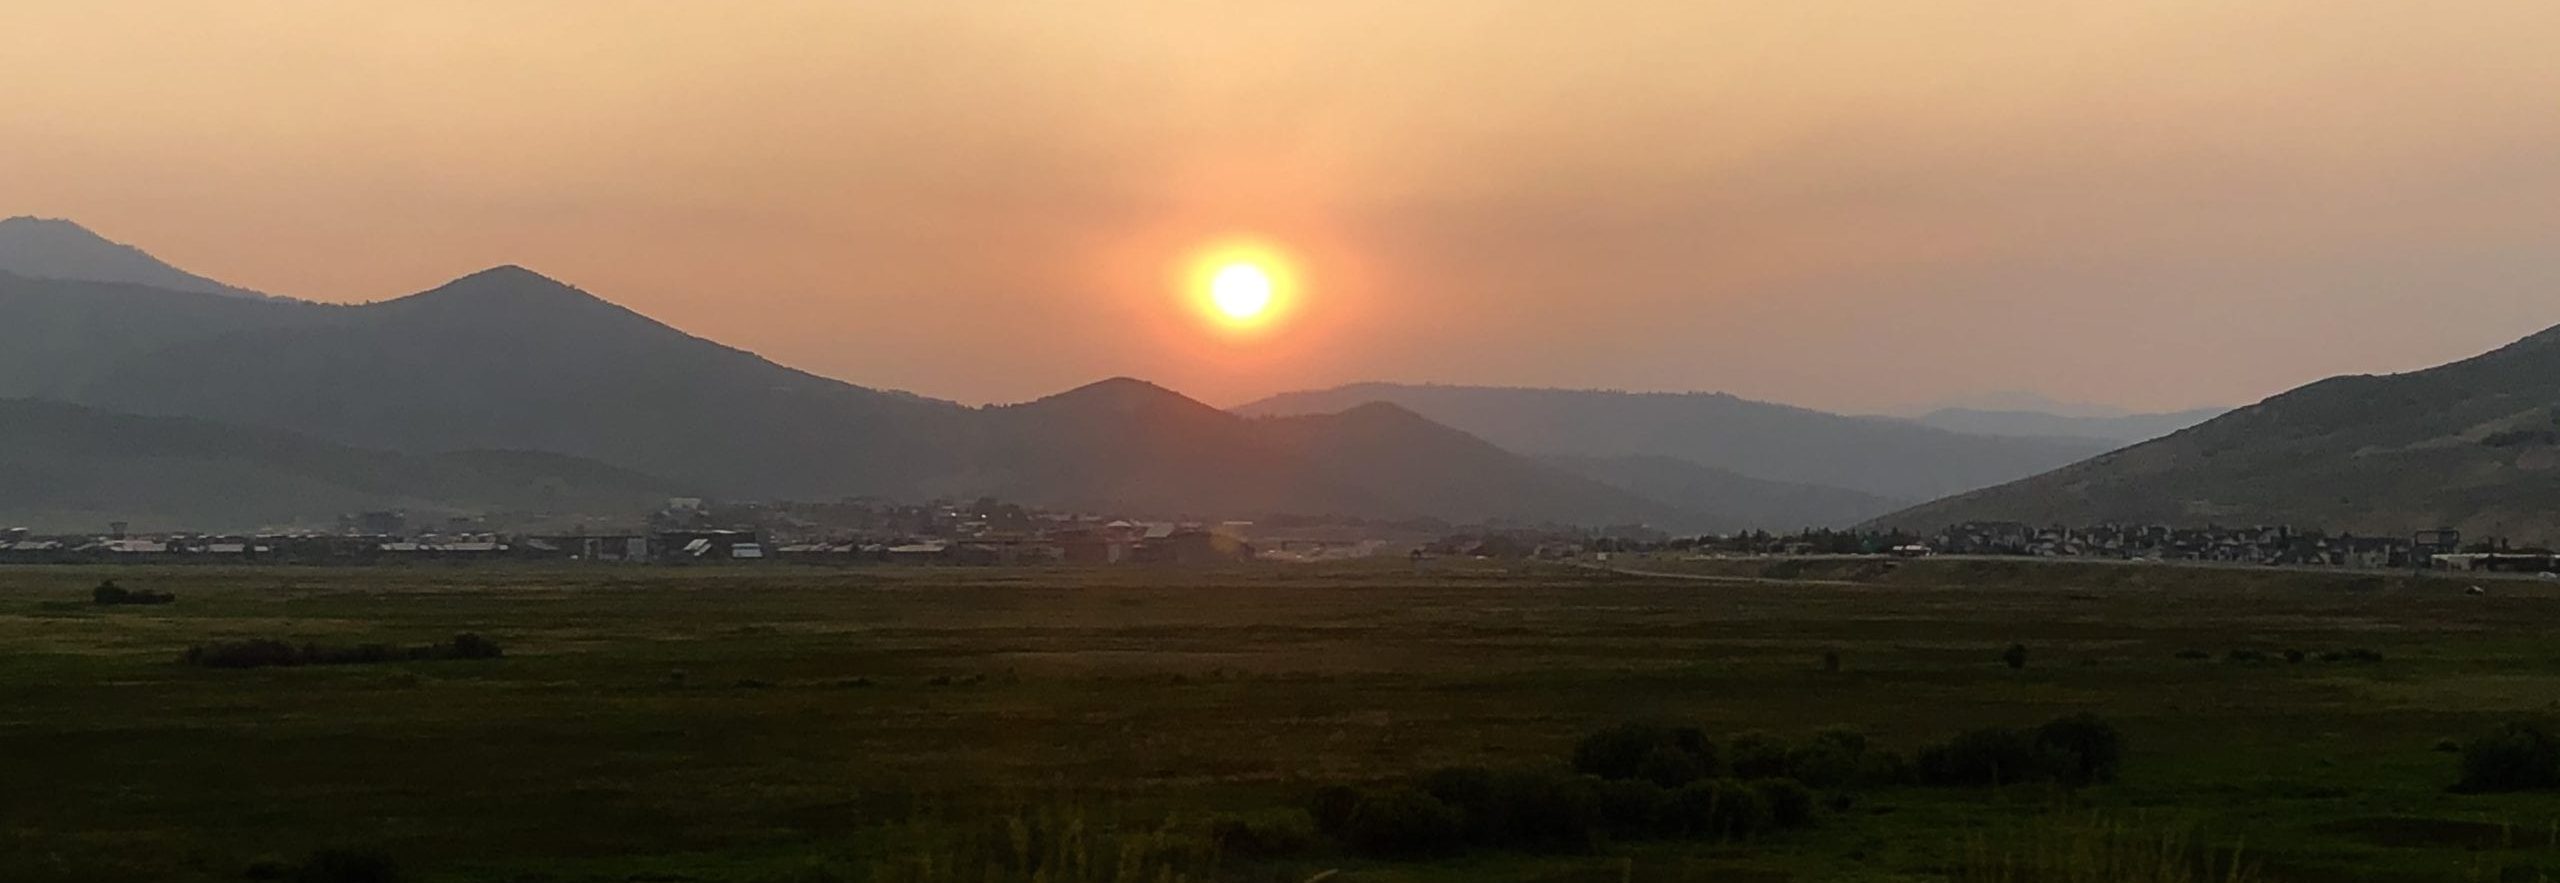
(1878, 457)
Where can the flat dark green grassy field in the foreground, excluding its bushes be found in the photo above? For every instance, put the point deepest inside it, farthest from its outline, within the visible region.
(815, 726)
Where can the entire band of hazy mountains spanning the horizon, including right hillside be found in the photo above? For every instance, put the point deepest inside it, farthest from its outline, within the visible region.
(152, 395)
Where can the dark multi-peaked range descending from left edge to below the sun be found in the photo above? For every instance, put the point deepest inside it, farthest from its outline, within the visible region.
(518, 362)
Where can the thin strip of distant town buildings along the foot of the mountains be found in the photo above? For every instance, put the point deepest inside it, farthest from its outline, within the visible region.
(1002, 534)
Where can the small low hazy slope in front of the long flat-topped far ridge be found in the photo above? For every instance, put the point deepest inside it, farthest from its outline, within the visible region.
(1722, 500)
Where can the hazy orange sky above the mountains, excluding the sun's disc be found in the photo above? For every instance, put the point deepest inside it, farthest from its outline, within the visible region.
(1824, 203)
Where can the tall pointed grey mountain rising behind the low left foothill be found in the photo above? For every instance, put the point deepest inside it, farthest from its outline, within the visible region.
(513, 360)
